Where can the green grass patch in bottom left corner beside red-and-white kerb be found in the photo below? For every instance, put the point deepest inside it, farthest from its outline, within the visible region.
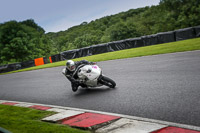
(26, 120)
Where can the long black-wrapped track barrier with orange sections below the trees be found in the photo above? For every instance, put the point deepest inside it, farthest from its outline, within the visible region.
(159, 38)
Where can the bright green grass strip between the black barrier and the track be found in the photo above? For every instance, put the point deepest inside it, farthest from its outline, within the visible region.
(180, 46)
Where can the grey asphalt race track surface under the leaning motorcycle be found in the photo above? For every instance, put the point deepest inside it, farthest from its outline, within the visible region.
(162, 87)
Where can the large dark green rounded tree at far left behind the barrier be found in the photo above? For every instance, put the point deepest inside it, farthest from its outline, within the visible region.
(22, 41)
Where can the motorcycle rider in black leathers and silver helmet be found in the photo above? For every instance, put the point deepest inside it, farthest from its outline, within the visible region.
(71, 72)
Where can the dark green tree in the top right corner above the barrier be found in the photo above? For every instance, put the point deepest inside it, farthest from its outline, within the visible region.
(185, 12)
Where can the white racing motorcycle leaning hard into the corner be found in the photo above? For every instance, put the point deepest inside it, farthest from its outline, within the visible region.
(91, 76)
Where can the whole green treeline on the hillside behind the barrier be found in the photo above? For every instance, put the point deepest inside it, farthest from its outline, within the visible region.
(21, 41)
